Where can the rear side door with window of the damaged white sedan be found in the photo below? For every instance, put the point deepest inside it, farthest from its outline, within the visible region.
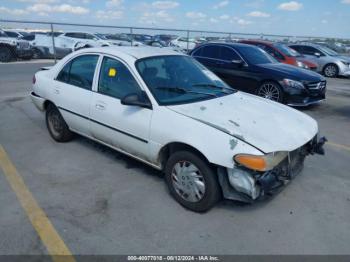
(72, 91)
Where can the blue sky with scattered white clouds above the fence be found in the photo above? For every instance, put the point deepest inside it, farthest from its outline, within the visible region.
(301, 17)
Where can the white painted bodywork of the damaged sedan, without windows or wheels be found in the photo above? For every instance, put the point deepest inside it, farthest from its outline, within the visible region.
(258, 126)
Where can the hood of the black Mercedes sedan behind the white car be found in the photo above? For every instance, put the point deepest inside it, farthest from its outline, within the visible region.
(291, 72)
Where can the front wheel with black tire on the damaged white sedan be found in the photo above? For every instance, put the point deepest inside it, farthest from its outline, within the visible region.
(198, 190)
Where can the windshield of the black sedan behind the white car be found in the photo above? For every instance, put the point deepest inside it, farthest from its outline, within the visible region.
(255, 56)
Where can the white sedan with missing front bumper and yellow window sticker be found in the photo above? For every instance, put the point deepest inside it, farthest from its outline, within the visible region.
(167, 110)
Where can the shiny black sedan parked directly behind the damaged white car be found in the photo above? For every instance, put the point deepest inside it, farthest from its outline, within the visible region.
(250, 69)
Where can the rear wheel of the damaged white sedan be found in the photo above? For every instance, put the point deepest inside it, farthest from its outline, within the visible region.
(56, 125)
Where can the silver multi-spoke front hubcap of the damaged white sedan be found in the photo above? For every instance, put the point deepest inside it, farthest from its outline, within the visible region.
(188, 181)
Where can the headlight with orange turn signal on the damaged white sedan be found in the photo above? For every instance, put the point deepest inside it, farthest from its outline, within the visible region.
(261, 163)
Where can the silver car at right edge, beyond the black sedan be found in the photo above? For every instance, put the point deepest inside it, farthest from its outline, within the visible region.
(330, 63)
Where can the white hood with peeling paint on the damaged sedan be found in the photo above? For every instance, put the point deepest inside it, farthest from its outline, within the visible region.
(264, 124)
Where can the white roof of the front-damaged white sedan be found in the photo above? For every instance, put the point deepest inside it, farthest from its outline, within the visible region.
(132, 52)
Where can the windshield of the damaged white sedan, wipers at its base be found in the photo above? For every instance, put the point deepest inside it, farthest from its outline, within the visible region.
(179, 79)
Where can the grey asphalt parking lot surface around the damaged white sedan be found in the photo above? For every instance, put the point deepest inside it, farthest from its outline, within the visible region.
(101, 202)
